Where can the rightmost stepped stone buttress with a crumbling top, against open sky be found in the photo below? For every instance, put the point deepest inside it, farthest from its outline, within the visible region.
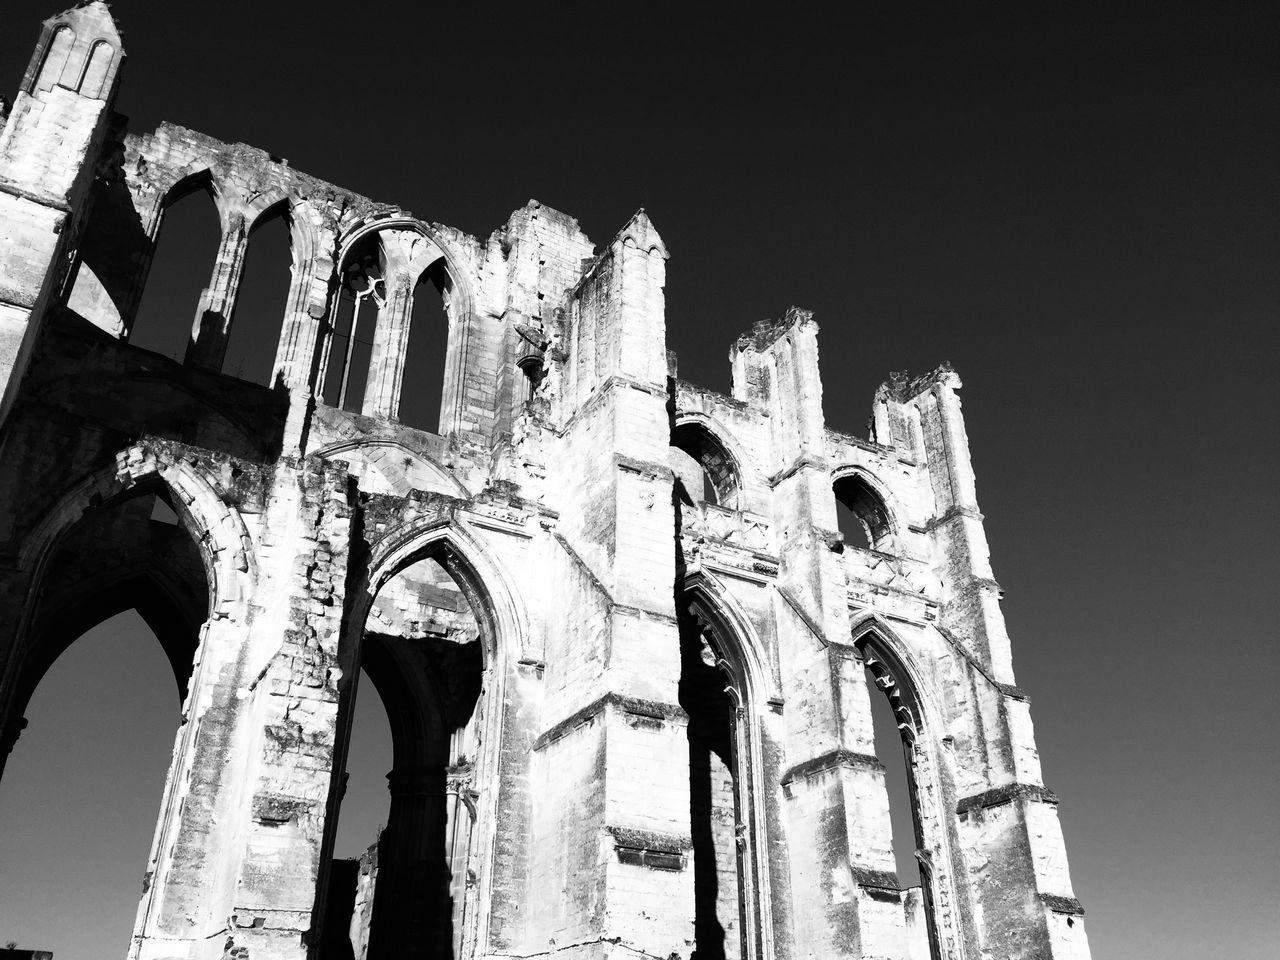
(1011, 833)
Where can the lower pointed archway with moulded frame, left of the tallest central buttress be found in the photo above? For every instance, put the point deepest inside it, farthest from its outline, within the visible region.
(426, 632)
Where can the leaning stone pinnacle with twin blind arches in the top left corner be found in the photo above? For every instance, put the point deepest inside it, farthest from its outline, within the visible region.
(49, 148)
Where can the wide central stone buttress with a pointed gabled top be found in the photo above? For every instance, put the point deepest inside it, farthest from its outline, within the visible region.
(612, 862)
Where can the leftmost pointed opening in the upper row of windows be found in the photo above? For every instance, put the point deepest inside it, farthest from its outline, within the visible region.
(186, 250)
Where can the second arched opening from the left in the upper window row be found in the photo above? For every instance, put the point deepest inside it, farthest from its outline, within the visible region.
(264, 291)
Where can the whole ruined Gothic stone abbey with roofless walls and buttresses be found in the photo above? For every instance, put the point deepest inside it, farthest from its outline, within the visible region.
(620, 637)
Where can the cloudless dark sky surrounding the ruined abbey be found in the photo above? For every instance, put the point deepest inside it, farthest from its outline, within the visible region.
(1076, 205)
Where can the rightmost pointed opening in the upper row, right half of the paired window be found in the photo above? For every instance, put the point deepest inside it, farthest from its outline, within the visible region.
(423, 387)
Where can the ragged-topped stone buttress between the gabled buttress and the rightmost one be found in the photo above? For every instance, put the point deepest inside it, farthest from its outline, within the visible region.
(845, 898)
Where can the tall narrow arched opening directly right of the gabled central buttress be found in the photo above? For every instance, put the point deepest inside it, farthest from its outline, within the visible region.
(721, 820)
